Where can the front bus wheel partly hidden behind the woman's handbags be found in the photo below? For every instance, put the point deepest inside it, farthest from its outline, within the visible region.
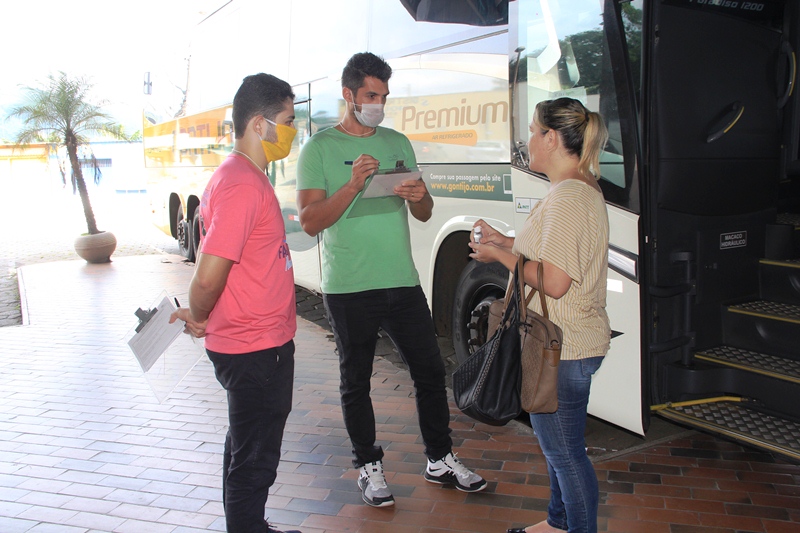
(479, 285)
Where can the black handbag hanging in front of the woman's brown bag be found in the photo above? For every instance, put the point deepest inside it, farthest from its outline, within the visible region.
(487, 385)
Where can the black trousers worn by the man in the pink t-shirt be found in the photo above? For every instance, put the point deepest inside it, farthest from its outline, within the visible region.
(259, 386)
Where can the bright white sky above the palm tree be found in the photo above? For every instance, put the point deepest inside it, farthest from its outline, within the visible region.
(111, 42)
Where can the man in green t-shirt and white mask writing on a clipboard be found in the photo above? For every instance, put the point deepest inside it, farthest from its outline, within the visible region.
(369, 280)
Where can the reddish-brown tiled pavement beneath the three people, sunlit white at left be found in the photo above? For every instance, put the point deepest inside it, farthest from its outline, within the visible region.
(85, 446)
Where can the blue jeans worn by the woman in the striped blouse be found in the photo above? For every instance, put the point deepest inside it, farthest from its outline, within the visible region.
(574, 492)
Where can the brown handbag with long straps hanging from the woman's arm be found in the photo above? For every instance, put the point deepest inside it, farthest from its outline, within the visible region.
(540, 345)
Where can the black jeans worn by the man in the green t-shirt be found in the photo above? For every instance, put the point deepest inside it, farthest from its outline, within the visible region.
(404, 315)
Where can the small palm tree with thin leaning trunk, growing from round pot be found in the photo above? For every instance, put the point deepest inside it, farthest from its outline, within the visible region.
(61, 111)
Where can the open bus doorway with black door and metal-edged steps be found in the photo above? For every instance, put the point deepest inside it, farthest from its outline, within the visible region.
(722, 285)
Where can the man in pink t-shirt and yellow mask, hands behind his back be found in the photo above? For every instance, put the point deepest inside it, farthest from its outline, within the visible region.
(241, 298)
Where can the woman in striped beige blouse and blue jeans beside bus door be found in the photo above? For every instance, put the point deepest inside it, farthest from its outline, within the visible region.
(568, 232)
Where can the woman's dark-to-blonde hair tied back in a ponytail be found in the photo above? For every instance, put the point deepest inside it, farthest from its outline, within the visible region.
(583, 132)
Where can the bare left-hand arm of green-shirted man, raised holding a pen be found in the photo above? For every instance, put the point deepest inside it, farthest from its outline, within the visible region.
(318, 211)
